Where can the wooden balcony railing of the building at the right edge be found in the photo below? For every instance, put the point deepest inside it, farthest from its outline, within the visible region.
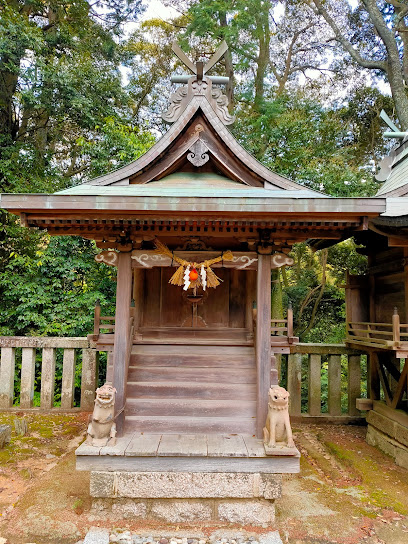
(384, 335)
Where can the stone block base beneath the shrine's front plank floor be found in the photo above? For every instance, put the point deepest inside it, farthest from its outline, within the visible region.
(177, 497)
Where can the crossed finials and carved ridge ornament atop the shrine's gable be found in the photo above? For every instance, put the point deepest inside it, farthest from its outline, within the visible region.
(199, 85)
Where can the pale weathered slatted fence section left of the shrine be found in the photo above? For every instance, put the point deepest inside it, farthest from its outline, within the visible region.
(37, 357)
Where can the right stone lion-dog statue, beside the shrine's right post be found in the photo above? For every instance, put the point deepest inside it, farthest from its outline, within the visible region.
(277, 428)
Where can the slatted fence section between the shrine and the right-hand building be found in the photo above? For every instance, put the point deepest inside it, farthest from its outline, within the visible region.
(324, 381)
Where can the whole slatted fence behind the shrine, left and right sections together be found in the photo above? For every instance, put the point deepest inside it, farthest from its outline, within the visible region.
(318, 376)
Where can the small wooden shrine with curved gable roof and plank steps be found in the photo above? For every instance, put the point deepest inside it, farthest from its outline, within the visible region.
(194, 228)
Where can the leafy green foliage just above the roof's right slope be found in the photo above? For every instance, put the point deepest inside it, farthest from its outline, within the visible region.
(309, 143)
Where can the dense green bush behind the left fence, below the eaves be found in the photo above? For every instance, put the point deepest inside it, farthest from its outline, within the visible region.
(54, 292)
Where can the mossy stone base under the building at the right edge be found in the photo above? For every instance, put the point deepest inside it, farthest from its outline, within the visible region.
(388, 431)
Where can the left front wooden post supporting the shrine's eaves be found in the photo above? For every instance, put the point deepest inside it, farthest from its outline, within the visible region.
(122, 339)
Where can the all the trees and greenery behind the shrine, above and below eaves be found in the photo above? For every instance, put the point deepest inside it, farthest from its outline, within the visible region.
(81, 89)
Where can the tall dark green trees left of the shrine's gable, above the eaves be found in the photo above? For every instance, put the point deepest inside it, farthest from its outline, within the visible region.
(59, 83)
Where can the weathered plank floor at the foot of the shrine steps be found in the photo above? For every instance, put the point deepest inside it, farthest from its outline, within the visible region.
(185, 452)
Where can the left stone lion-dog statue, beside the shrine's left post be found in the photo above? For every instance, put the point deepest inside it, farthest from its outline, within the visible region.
(102, 427)
